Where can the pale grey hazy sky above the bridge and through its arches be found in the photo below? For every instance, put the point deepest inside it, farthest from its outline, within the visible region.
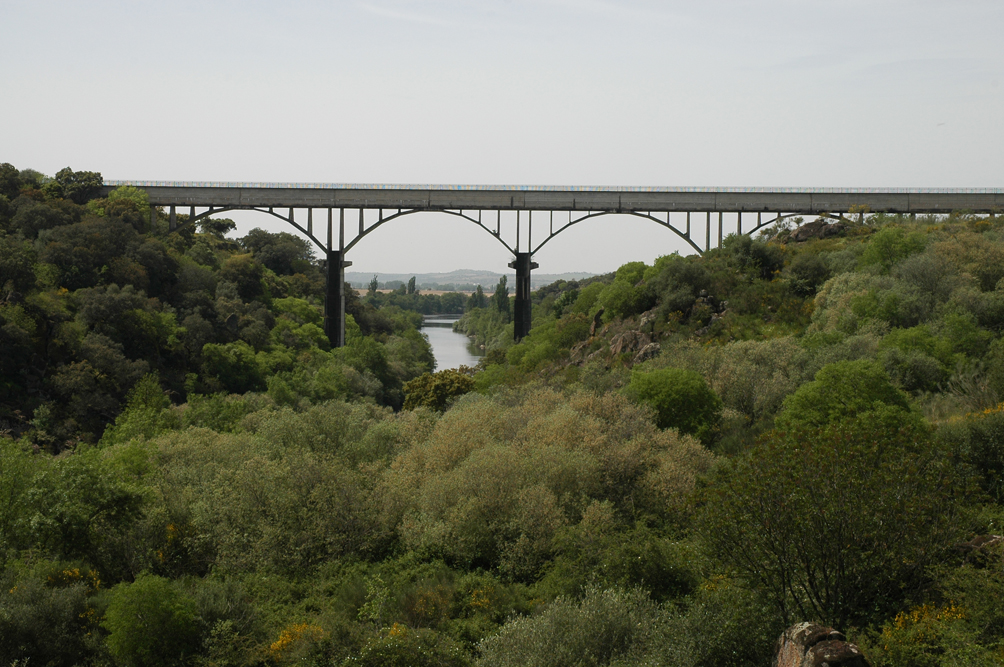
(774, 93)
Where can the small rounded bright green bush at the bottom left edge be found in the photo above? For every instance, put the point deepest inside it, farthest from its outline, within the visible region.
(151, 623)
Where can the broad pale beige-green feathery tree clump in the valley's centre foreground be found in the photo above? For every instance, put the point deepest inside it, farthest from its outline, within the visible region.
(497, 480)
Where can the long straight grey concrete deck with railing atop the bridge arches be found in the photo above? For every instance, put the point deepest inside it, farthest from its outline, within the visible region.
(808, 201)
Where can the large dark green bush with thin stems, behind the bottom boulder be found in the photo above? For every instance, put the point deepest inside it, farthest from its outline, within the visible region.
(843, 531)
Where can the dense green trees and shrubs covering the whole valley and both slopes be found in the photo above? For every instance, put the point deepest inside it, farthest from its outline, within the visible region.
(680, 461)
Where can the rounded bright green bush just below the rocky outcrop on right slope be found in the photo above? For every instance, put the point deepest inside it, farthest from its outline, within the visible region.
(681, 399)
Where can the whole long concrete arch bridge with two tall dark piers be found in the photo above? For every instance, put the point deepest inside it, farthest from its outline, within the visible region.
(347, 214)
